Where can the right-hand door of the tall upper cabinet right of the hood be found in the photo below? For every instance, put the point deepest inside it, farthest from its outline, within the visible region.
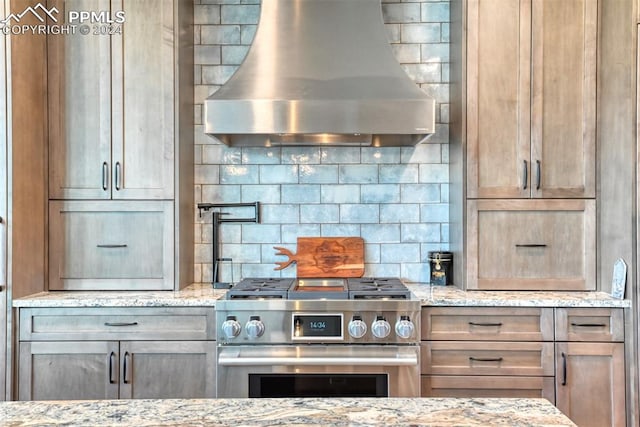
(563, 128)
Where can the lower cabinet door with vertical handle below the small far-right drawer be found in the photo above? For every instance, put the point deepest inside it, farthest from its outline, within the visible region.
(590, 383)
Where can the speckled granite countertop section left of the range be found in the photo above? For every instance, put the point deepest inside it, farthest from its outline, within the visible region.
(195, 295)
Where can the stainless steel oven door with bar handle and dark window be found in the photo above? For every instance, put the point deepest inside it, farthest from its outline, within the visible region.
(319, 371)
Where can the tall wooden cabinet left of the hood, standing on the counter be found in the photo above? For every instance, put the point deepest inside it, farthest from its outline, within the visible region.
(121, 149)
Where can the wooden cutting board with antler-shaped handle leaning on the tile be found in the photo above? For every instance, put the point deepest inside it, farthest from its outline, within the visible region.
(326, 257)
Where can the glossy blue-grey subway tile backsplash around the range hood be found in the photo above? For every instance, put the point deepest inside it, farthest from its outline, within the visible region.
(396, 198)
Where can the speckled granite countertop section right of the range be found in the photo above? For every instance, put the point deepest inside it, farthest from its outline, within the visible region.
(452, 296)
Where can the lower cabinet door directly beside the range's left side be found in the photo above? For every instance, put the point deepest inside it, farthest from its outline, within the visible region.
(167, 369)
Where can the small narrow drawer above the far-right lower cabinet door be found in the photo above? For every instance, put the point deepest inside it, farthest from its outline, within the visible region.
(589, 324)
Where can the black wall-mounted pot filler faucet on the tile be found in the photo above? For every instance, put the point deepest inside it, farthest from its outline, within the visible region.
(219, 217)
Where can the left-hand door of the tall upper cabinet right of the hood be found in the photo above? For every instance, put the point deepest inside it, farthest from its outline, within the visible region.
(498, 98)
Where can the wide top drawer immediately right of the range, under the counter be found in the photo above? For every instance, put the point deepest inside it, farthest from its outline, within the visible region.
(487, 324)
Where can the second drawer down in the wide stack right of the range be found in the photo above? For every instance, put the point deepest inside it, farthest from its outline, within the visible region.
(487, 358)
